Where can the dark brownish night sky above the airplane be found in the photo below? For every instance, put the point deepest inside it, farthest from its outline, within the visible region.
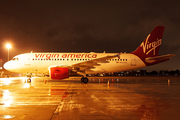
(88, 26)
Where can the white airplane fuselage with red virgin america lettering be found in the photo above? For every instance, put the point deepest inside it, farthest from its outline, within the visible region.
(40, 62)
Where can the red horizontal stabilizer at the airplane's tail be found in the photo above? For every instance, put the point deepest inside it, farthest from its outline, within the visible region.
(159, 58)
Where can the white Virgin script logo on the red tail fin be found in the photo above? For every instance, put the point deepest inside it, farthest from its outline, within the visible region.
(148, 47)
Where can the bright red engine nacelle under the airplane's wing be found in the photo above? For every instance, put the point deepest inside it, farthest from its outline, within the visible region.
(57, 73)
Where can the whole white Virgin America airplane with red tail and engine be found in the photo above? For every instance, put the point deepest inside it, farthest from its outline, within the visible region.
(62, 65)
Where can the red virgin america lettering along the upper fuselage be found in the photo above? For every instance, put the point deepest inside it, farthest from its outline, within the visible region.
(69, 55)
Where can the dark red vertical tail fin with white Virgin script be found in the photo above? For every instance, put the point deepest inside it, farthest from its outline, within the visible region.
(150, 46)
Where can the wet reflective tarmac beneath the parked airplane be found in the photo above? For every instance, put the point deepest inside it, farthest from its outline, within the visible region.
(124, 98)
